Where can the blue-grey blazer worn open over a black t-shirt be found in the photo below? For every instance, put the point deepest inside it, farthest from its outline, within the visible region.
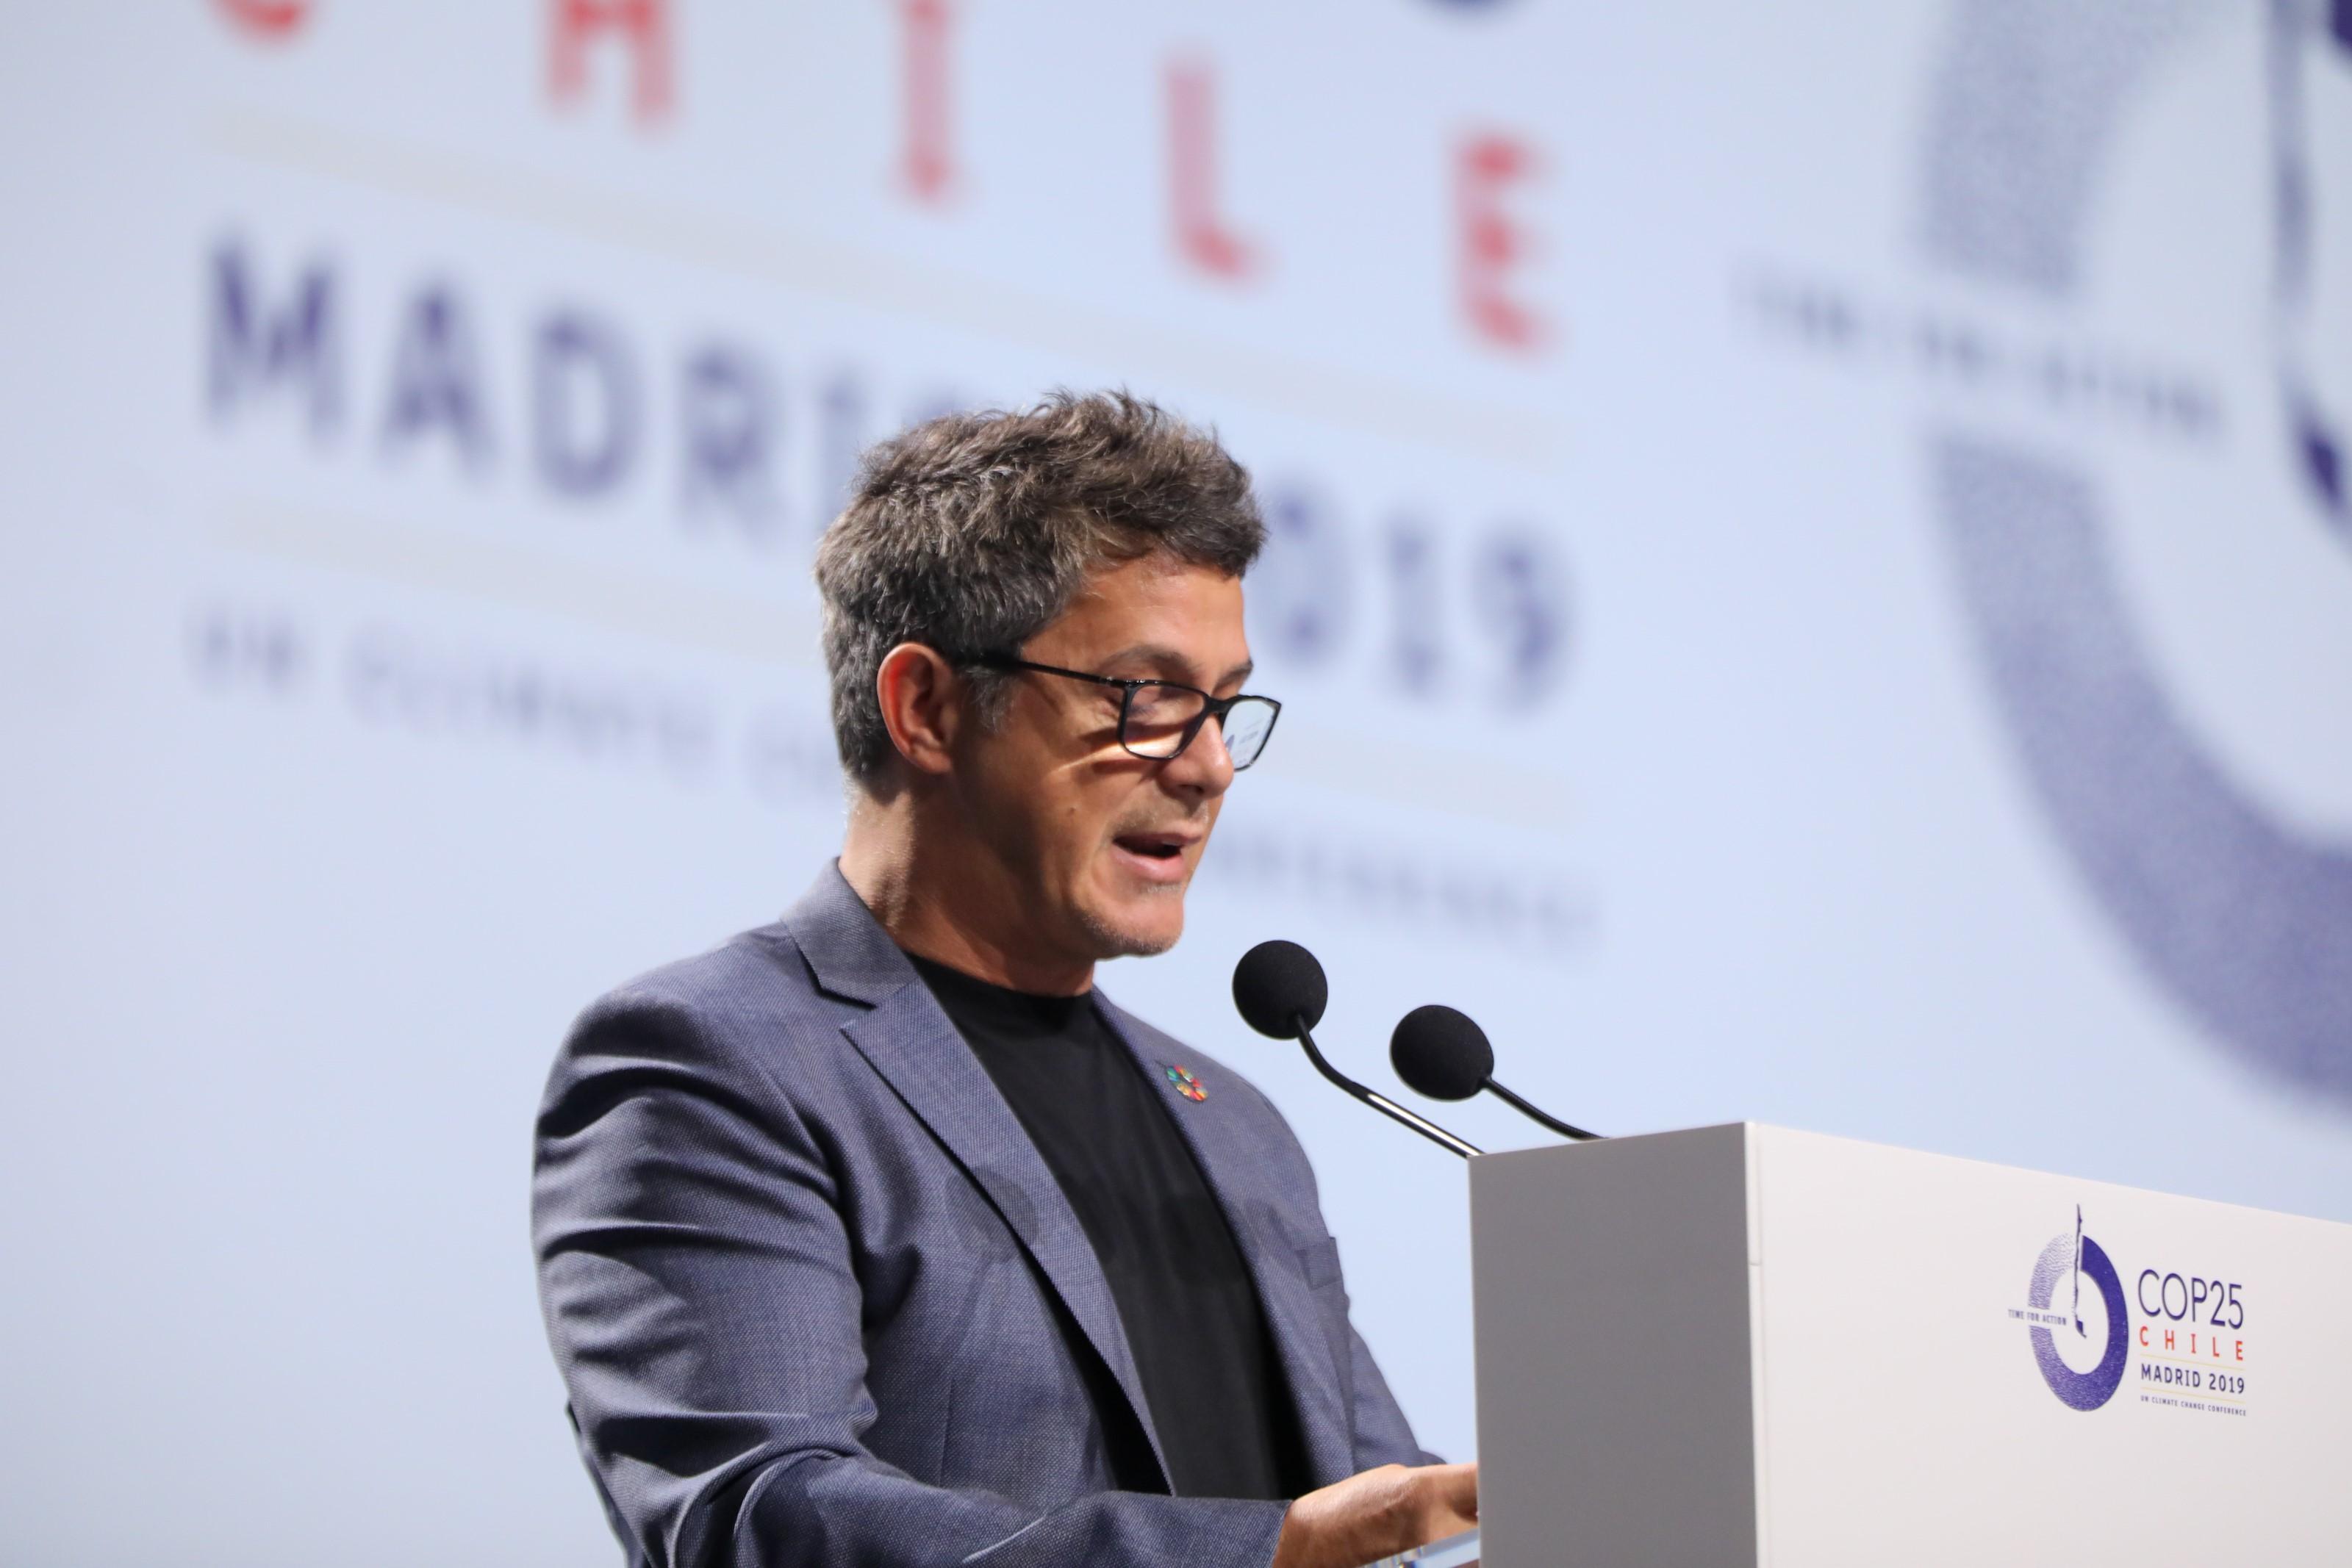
(820, 1301)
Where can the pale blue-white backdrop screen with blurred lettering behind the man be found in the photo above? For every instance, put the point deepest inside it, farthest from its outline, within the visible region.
(1636, 699)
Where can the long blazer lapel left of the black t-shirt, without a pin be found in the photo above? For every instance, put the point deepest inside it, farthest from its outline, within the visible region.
(928, 1064)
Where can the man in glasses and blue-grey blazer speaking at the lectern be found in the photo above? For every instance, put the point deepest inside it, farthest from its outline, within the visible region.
(878, 1235)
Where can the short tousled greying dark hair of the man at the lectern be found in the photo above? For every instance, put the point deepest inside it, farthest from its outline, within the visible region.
(975, 532)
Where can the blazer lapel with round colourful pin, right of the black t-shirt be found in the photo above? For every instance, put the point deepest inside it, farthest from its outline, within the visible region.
(1229, 1158)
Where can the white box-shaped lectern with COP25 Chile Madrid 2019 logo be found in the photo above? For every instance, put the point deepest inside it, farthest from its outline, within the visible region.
(1744, 1346)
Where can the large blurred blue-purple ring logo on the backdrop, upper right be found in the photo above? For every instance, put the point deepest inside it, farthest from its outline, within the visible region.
(2236, 909)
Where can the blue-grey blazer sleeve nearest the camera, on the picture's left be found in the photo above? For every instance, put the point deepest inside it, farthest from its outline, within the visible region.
(700, 1294)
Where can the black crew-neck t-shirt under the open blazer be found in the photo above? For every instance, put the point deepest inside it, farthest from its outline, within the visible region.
(1194, 1320)
